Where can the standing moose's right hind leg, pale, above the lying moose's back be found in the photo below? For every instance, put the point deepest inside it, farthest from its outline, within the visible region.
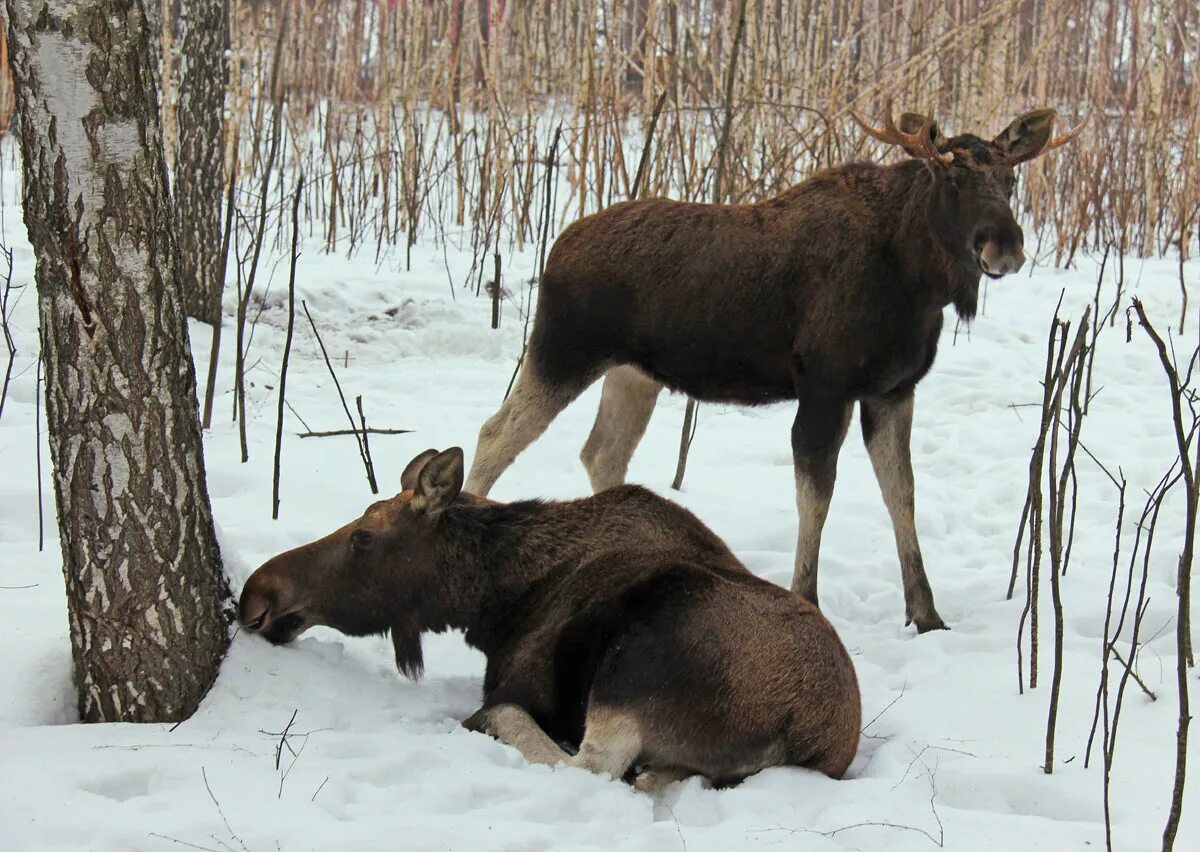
(627, 404)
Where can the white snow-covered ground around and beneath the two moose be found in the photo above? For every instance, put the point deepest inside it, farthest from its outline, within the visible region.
(952, 755)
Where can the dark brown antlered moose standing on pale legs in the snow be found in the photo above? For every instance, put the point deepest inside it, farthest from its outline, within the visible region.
(830, 293)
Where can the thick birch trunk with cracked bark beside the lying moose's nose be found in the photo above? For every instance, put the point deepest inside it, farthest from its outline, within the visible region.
(146, 591)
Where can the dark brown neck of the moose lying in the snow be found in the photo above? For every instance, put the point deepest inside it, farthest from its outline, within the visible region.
(491, 555)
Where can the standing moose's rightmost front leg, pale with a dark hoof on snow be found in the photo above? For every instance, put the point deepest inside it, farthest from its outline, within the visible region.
(887, 431)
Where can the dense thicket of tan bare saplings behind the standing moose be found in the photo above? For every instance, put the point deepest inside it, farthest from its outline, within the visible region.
(429, 117)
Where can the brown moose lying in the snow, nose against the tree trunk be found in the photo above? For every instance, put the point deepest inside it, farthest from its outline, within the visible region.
(619, 623)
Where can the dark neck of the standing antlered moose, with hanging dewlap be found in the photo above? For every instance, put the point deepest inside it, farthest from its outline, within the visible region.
(927, 260)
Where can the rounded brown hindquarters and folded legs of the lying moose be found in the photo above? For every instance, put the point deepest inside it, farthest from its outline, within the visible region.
(683, 668)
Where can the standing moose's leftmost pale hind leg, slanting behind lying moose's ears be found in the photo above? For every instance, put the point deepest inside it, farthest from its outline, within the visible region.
(520, 421)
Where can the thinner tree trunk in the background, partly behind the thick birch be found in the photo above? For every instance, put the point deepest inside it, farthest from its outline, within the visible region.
(200, 163)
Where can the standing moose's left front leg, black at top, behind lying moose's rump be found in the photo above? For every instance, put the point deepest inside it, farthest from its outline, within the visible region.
(820, 428)
